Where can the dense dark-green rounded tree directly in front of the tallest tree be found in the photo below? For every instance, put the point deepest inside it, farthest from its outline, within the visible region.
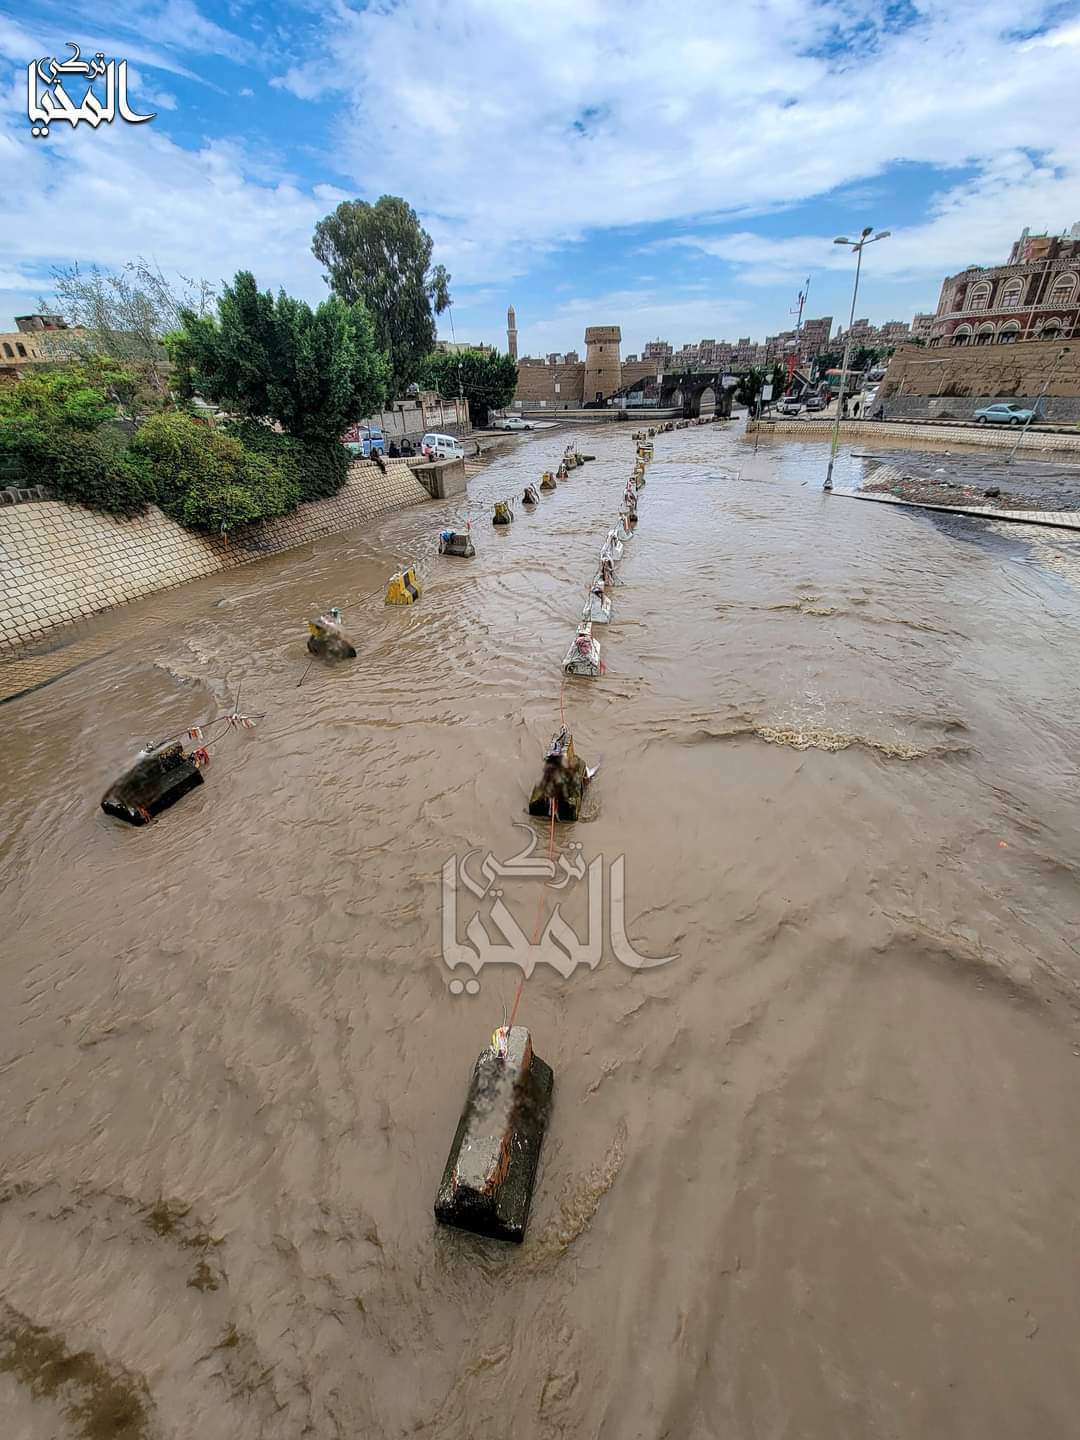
(315, 372)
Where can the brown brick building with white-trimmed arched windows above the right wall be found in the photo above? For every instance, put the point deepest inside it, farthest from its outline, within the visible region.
(1036, 296)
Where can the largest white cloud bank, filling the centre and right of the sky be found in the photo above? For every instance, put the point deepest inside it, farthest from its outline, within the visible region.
(515, 139)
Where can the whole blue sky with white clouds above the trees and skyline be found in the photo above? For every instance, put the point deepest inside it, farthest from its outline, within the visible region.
(580, 159)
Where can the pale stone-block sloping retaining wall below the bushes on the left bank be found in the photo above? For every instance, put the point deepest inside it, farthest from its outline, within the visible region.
(61, 564)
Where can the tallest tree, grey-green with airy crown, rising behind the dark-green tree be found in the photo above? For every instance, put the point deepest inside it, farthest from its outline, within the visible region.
(381, 256)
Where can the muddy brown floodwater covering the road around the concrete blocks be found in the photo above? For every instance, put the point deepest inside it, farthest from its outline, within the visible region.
(817, 1177)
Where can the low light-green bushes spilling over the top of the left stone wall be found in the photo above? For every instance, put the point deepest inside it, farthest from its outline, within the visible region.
(63, 428)
